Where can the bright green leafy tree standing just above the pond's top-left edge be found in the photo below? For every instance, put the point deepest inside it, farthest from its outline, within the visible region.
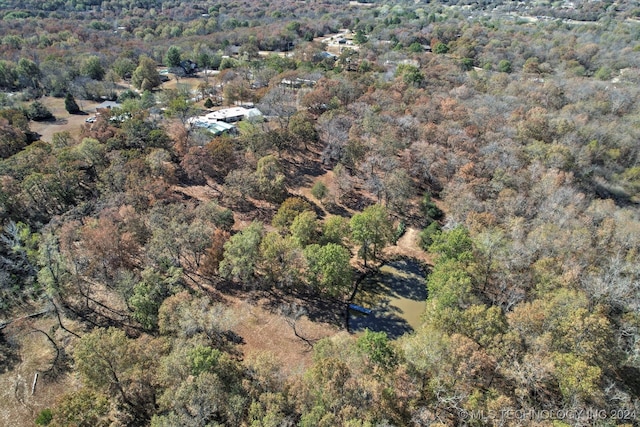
(373, 230)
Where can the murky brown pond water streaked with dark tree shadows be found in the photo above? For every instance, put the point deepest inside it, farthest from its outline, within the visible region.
(397, 297)
